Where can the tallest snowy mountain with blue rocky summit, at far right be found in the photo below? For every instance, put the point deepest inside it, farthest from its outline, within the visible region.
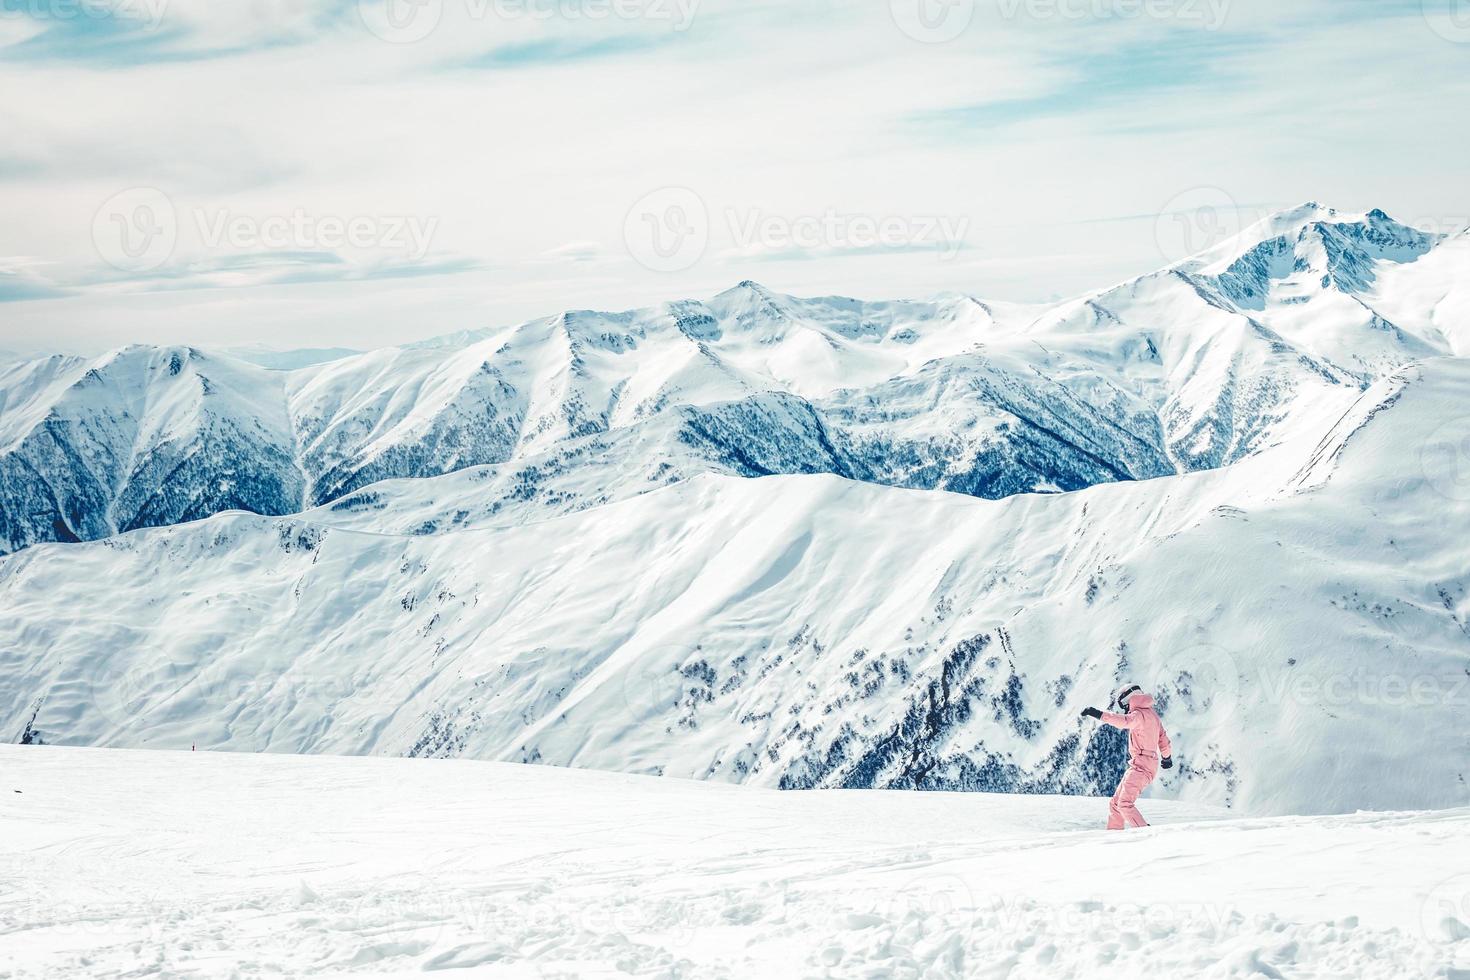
(1275, 323)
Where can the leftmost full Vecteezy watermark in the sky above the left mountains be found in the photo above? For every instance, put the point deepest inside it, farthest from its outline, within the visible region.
(139, 230)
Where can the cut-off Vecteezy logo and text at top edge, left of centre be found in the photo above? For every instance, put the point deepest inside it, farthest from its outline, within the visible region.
(411, 21)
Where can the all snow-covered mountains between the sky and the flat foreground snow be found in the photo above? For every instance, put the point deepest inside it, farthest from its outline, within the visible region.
(545, 544)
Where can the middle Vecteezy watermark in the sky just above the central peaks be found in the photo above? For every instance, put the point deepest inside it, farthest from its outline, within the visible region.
(671, 230)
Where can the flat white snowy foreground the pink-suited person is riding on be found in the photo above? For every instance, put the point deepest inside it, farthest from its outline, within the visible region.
(127, 865)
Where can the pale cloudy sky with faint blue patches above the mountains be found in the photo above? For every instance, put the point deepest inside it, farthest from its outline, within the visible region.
(367, 173)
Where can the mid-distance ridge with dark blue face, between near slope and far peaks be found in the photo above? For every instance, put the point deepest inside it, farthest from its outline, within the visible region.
(983, 425)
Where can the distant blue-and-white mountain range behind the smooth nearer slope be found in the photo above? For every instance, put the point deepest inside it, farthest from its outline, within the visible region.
(1191, 368)
